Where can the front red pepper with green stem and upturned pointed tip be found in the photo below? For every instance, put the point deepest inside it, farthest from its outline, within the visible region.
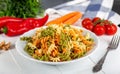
(19, 27)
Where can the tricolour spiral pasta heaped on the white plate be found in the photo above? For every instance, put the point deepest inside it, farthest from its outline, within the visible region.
(58, 43)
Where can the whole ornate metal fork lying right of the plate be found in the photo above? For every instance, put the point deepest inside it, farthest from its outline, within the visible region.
(112, 46)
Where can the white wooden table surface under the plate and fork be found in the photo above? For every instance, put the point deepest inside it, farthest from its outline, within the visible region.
(11, 62)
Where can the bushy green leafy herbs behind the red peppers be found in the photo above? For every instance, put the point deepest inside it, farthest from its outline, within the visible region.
(20, 8)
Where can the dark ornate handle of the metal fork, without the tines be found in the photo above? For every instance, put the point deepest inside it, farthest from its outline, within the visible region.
(99, 65)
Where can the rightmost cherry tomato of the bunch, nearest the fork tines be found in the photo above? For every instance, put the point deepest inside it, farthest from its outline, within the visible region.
(111, 29)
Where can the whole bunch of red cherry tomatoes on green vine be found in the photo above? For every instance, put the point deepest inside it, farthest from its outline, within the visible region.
(99, 26)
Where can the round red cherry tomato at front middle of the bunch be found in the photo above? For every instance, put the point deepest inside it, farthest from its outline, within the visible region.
(99, 29)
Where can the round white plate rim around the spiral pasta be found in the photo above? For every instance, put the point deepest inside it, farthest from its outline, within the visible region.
(20, 45)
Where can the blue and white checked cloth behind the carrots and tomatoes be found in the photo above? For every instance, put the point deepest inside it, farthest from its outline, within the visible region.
(91, 9)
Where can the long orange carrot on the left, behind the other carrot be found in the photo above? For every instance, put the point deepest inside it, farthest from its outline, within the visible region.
(64, 18)
